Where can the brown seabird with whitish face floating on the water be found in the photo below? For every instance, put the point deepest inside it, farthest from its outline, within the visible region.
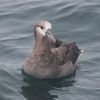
(50, 57)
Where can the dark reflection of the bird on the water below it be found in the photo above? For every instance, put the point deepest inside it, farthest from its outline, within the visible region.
(38, 89)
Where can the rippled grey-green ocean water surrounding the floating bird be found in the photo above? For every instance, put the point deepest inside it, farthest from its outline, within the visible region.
(73, 20)
